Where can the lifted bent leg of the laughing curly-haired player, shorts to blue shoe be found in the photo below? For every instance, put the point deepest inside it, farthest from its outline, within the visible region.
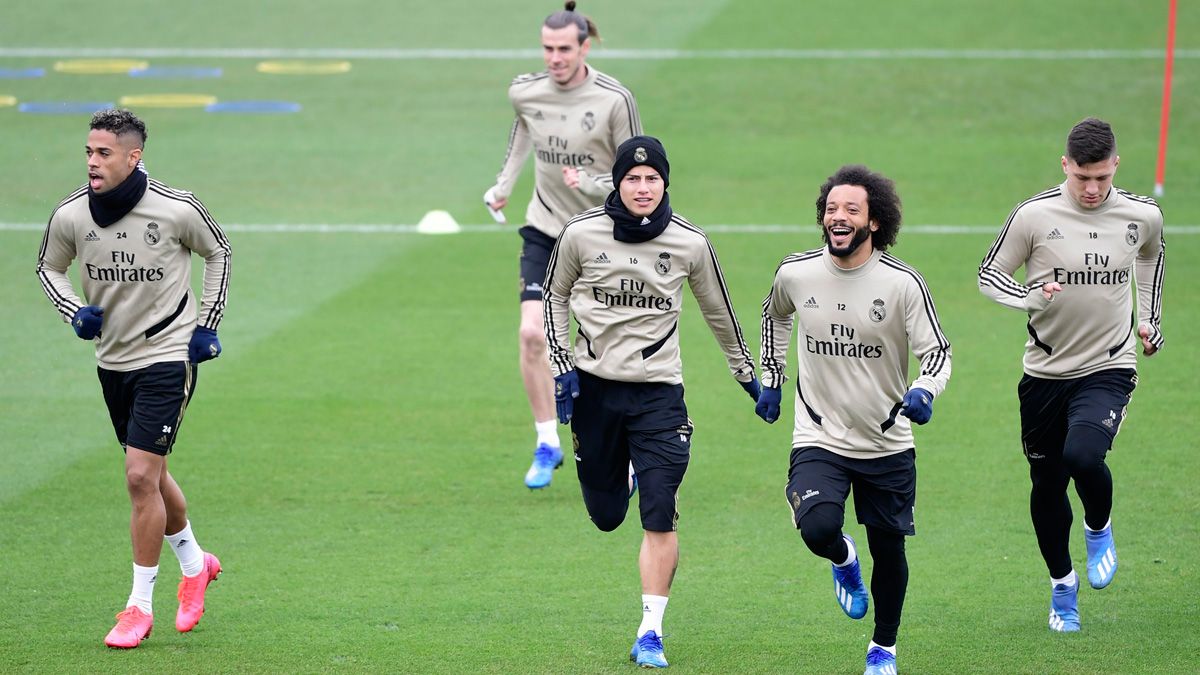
(818, 487)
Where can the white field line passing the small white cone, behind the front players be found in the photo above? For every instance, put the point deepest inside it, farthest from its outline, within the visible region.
(397, 229)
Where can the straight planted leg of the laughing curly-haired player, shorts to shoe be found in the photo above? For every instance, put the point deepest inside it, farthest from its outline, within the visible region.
(885, 494)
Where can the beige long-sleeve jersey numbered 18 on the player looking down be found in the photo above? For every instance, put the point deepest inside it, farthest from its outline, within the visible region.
(1095, 255)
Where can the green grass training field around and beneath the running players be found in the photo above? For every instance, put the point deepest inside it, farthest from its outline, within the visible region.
(356, 456)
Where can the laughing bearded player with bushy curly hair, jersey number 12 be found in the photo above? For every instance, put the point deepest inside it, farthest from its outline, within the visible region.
(859, 312)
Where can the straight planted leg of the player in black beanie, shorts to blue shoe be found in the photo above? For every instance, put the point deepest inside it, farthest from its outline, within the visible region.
(661, 449)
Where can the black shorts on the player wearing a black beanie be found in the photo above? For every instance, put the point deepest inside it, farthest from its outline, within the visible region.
(645, 423)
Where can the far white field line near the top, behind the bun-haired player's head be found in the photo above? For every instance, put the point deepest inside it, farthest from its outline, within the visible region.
(629, 55)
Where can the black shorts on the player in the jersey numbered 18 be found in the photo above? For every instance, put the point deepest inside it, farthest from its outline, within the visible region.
(1049, 408)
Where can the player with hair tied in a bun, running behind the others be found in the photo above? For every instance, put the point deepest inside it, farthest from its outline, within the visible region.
(573, 117)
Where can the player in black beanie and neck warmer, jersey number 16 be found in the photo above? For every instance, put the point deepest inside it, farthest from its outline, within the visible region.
(621, 270)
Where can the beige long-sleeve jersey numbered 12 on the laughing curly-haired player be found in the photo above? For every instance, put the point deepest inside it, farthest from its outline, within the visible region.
(855, 330)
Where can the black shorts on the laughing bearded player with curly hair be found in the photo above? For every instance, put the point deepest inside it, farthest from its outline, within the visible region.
(885, 488)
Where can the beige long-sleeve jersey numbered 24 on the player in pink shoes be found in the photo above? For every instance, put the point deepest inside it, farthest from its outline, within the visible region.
(139, 270)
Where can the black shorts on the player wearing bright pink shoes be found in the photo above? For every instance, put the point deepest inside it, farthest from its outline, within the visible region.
(147, 405)
